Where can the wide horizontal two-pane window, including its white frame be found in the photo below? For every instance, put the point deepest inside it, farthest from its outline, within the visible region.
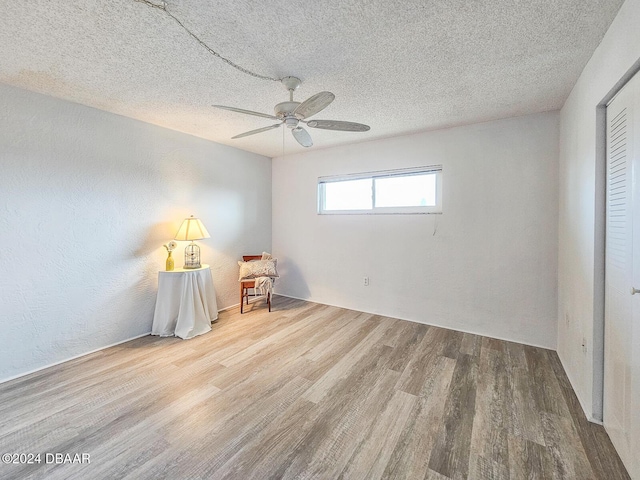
(415, 190)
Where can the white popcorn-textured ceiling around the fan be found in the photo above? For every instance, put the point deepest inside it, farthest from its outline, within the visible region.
(399, 66)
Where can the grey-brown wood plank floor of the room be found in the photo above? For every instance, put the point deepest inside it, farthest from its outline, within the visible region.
(307, 391)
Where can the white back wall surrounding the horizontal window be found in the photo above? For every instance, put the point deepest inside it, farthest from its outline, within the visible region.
(489, 268)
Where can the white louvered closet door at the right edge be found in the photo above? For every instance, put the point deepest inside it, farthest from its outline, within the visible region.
(622, 308)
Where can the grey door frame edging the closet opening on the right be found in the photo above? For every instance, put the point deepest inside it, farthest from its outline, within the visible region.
(600, 221)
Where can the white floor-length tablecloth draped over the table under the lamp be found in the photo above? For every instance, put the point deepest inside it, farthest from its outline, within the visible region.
(186, 303)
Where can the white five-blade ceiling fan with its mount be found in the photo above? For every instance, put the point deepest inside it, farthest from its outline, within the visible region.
(293, 113)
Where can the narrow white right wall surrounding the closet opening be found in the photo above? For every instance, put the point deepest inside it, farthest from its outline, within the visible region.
(581, 193)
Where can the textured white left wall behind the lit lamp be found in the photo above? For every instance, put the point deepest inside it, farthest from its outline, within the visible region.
(87, 199)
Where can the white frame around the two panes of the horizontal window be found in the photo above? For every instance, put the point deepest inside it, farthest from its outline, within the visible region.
(402, 172)
